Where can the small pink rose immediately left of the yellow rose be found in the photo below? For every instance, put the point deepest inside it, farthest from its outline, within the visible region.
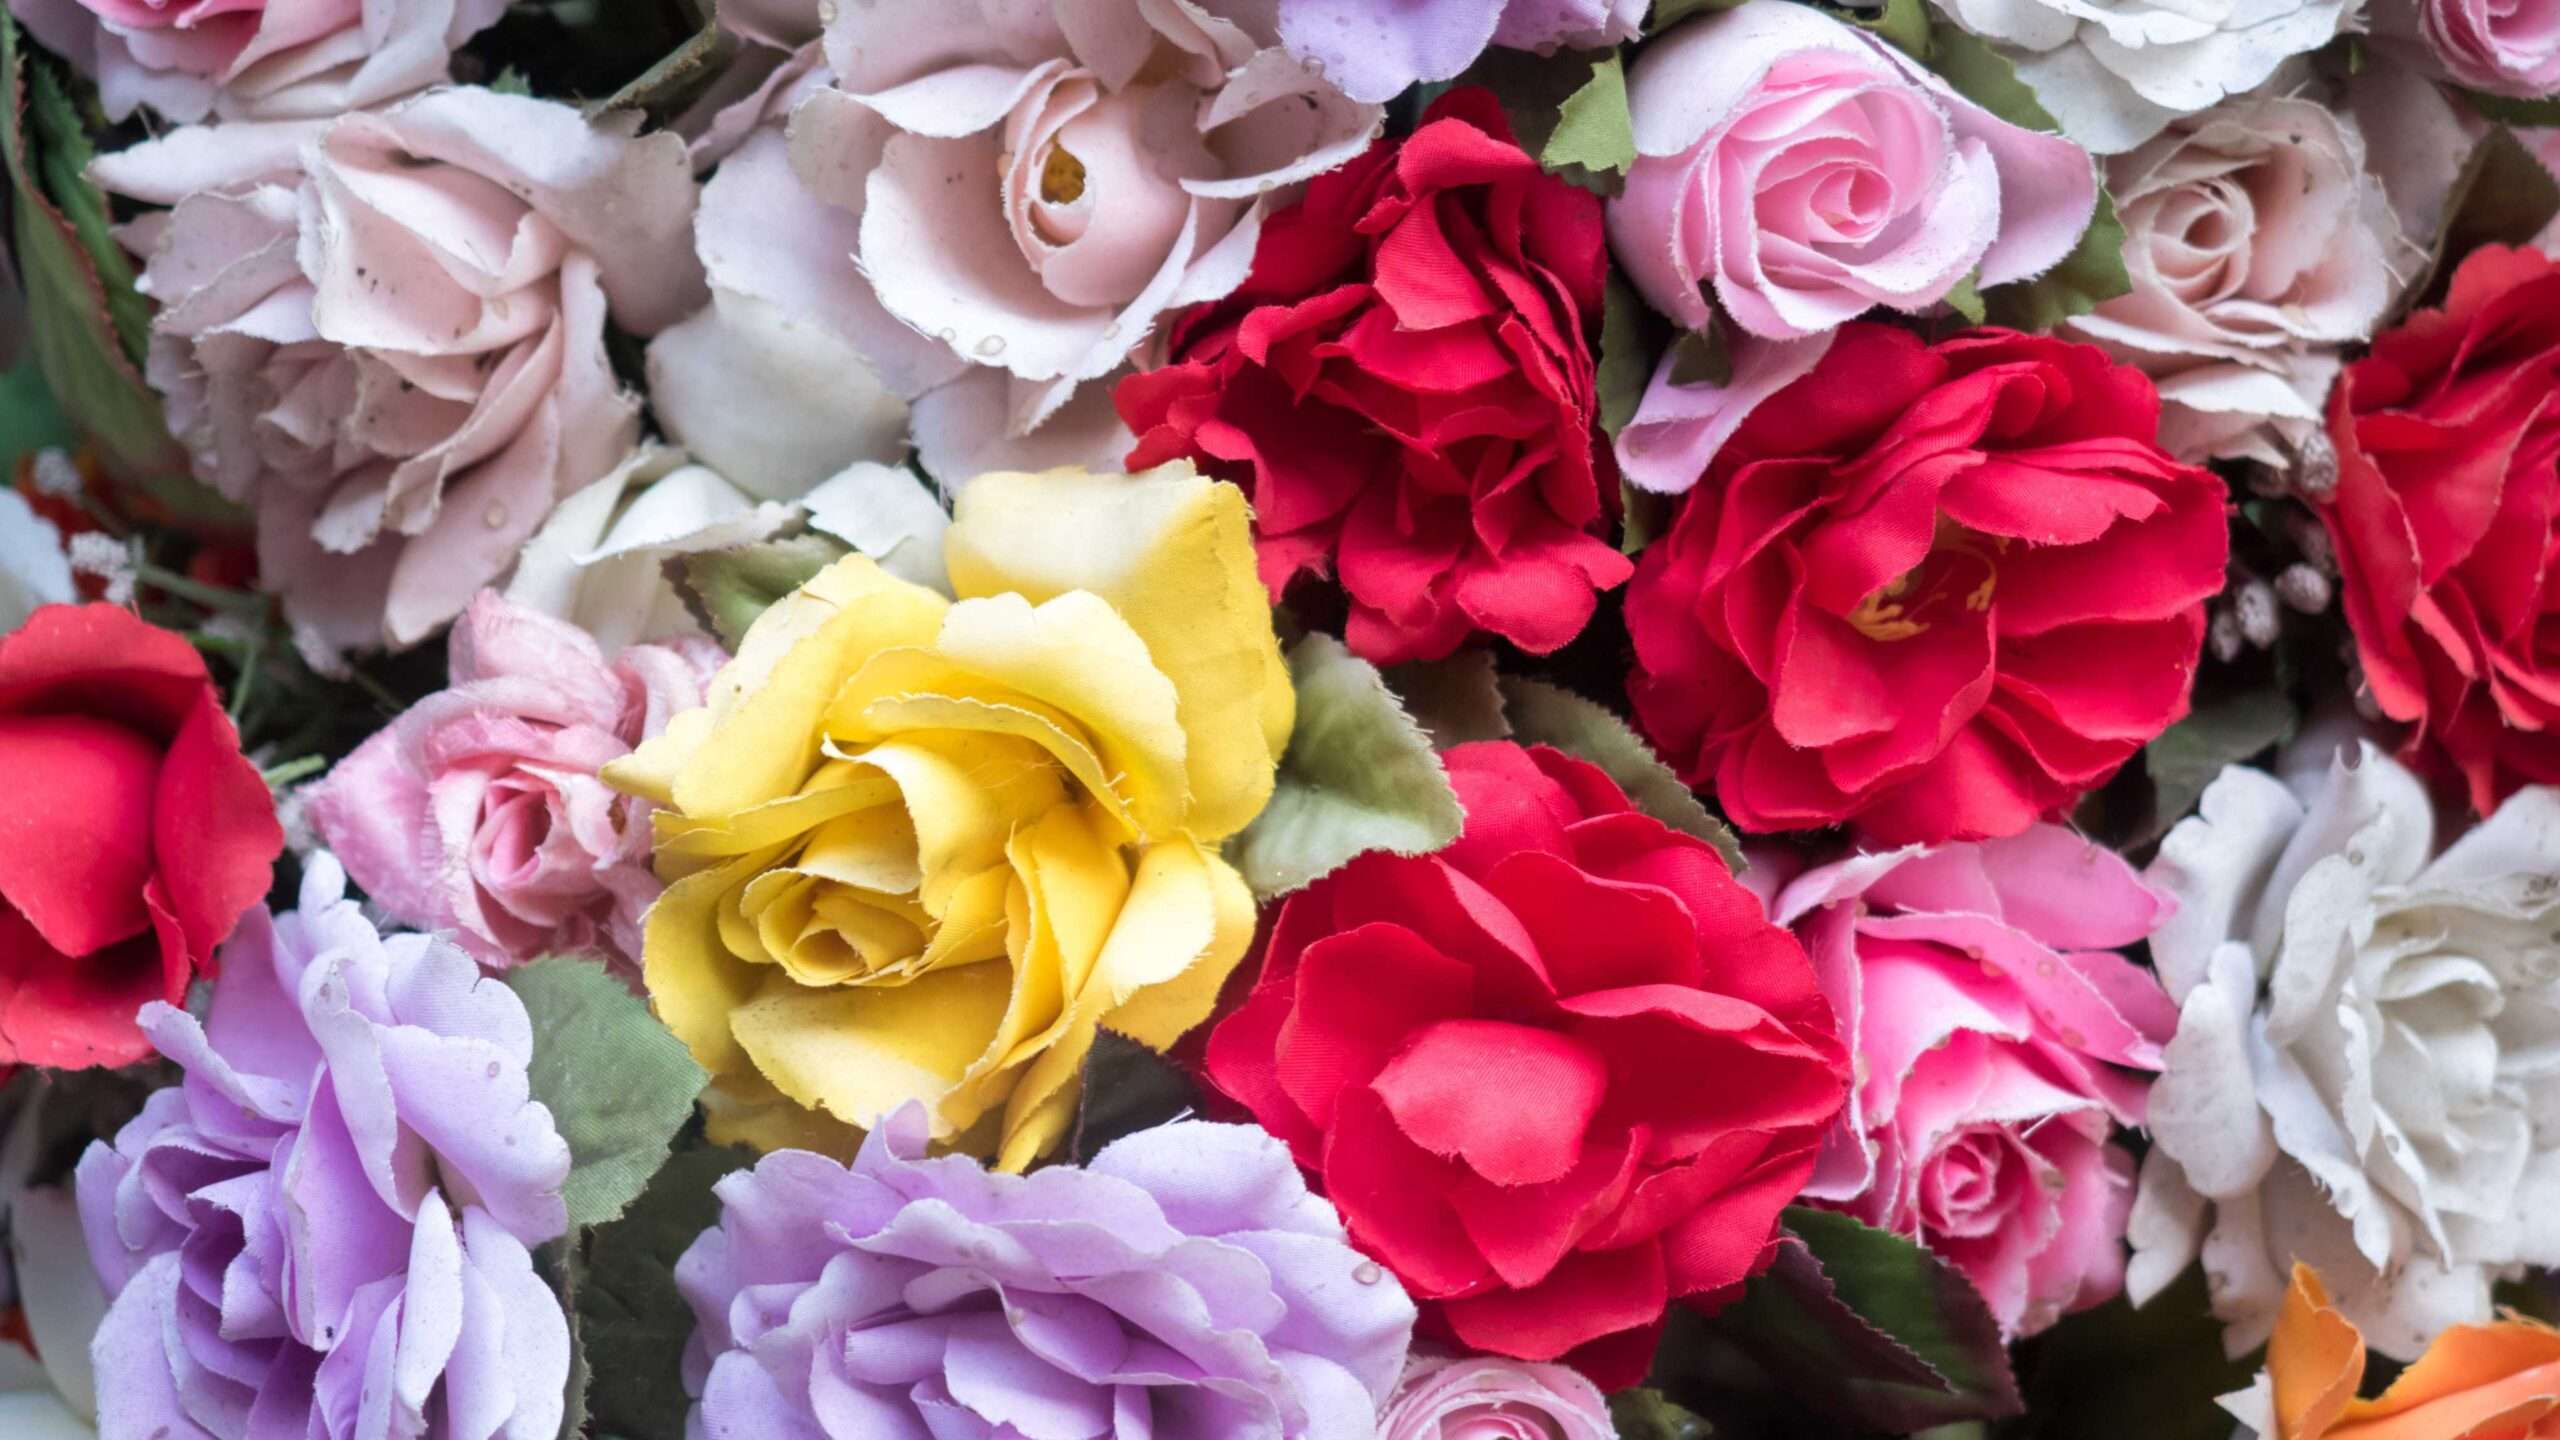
(480, 811)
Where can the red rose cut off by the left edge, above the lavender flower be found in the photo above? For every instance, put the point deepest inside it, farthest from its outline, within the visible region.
(132, 837)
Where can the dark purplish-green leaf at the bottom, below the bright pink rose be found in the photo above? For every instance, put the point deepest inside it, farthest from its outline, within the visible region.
(1873, 1329)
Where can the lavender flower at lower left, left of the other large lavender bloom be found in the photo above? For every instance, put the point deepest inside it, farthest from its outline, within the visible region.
(326, 1231)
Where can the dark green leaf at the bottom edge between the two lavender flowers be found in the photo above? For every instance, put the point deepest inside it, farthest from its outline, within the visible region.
(626, 1313)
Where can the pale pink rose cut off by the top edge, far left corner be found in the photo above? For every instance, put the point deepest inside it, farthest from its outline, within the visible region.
(257, 60)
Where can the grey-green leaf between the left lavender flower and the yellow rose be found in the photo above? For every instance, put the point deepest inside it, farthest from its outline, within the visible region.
(618, 1083)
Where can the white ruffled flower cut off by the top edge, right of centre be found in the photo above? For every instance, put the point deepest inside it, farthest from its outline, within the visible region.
(2116, 73)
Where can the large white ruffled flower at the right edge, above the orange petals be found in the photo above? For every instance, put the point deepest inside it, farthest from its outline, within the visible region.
(2362, 1065)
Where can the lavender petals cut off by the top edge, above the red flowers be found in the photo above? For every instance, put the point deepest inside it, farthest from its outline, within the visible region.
(1376, 53)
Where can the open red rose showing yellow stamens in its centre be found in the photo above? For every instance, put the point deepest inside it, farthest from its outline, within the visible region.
(1937, 591)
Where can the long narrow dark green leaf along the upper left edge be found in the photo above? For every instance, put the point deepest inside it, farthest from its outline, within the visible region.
(81, 288)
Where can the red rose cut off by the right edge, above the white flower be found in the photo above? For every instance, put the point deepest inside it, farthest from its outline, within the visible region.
(2449, 524)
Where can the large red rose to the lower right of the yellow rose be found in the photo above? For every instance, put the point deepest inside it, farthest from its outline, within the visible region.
(1558, 1075)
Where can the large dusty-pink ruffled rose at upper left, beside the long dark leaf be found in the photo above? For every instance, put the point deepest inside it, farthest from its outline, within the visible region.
(385, 334)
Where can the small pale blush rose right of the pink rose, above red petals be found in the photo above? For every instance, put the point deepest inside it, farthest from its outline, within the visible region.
(2259, 245)
